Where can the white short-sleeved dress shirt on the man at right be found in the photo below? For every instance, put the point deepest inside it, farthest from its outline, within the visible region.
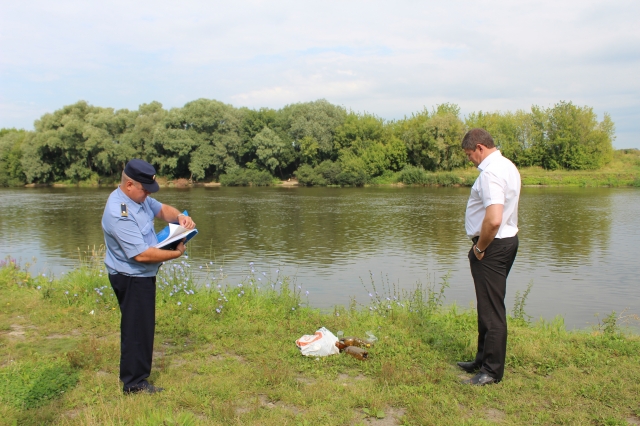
(498, 183)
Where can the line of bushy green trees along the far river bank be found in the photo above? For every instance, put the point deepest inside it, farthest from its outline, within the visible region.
(318, 142)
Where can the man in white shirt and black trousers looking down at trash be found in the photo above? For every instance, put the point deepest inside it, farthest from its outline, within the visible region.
(491, 222)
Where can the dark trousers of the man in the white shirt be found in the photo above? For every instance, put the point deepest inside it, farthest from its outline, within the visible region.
(490, 279)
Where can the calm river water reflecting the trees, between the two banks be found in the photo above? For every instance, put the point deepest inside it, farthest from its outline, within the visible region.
(577, 244)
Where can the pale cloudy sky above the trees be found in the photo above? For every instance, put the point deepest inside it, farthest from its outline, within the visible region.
(390, 59)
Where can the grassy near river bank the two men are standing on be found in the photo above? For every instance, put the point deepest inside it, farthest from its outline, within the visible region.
(225, 354)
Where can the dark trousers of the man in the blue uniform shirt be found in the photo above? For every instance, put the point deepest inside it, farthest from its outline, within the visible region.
(137, 300)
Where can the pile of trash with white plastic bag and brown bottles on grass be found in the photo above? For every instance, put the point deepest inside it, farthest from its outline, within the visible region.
(325, 343)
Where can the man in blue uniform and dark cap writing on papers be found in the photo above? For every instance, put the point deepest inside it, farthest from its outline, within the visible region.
(133, 262)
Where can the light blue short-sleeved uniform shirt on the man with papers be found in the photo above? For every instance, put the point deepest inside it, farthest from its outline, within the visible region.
(128, 236)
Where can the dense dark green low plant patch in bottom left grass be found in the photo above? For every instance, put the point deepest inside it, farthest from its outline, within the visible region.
(32, 384)
